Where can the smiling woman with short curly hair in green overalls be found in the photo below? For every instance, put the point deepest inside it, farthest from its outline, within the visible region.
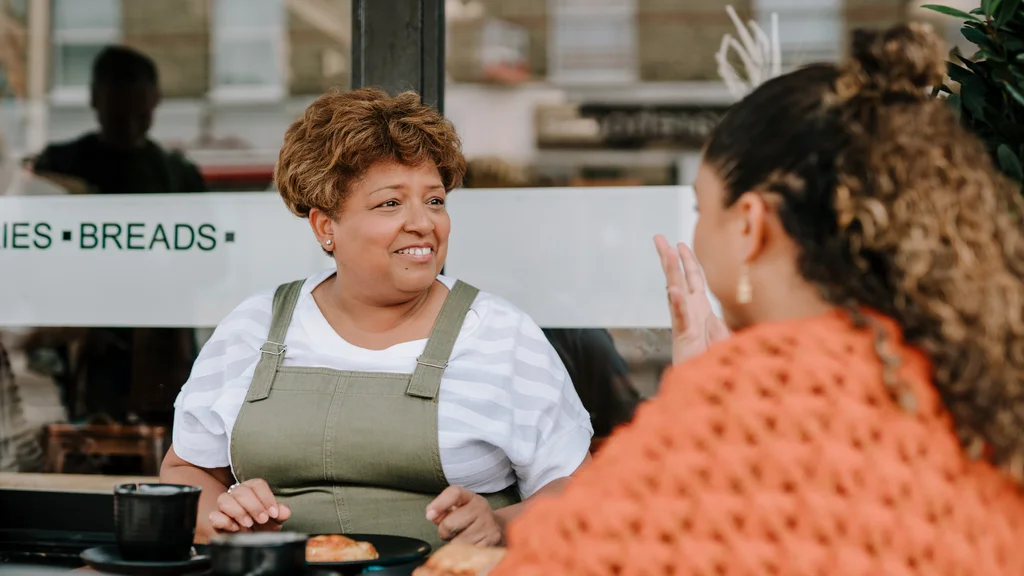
(378, 396)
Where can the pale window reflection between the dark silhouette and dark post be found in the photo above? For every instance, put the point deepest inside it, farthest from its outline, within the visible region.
(249, 50)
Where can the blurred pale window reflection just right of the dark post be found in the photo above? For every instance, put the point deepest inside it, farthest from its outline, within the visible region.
(593, 43)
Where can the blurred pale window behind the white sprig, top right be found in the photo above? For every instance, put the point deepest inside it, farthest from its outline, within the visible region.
(809, 31)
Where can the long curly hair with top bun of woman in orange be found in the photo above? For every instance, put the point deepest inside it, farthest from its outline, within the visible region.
(900, 210)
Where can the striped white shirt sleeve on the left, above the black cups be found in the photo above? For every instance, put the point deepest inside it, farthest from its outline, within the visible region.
(209, 403)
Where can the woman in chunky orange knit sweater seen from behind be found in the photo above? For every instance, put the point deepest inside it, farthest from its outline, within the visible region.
(867, 417)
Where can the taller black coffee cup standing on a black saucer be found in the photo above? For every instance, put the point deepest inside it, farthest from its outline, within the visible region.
(156, 522)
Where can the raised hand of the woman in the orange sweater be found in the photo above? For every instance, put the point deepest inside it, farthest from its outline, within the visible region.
(695, 325)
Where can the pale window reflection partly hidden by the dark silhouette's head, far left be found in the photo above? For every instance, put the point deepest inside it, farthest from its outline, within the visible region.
(80, 30)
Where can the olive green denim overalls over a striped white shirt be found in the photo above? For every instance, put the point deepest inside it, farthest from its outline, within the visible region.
(351, 452)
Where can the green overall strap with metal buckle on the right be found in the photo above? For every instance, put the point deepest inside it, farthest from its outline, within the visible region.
(431, 366)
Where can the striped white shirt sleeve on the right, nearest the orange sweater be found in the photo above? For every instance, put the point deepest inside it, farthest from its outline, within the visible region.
(552, 430)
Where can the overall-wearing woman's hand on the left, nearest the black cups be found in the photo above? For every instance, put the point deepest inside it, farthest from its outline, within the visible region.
(249, 507)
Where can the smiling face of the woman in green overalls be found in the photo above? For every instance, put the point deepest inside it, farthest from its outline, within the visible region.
(391, 236)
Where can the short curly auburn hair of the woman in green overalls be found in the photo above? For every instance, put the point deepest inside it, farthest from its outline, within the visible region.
(344, 135)
